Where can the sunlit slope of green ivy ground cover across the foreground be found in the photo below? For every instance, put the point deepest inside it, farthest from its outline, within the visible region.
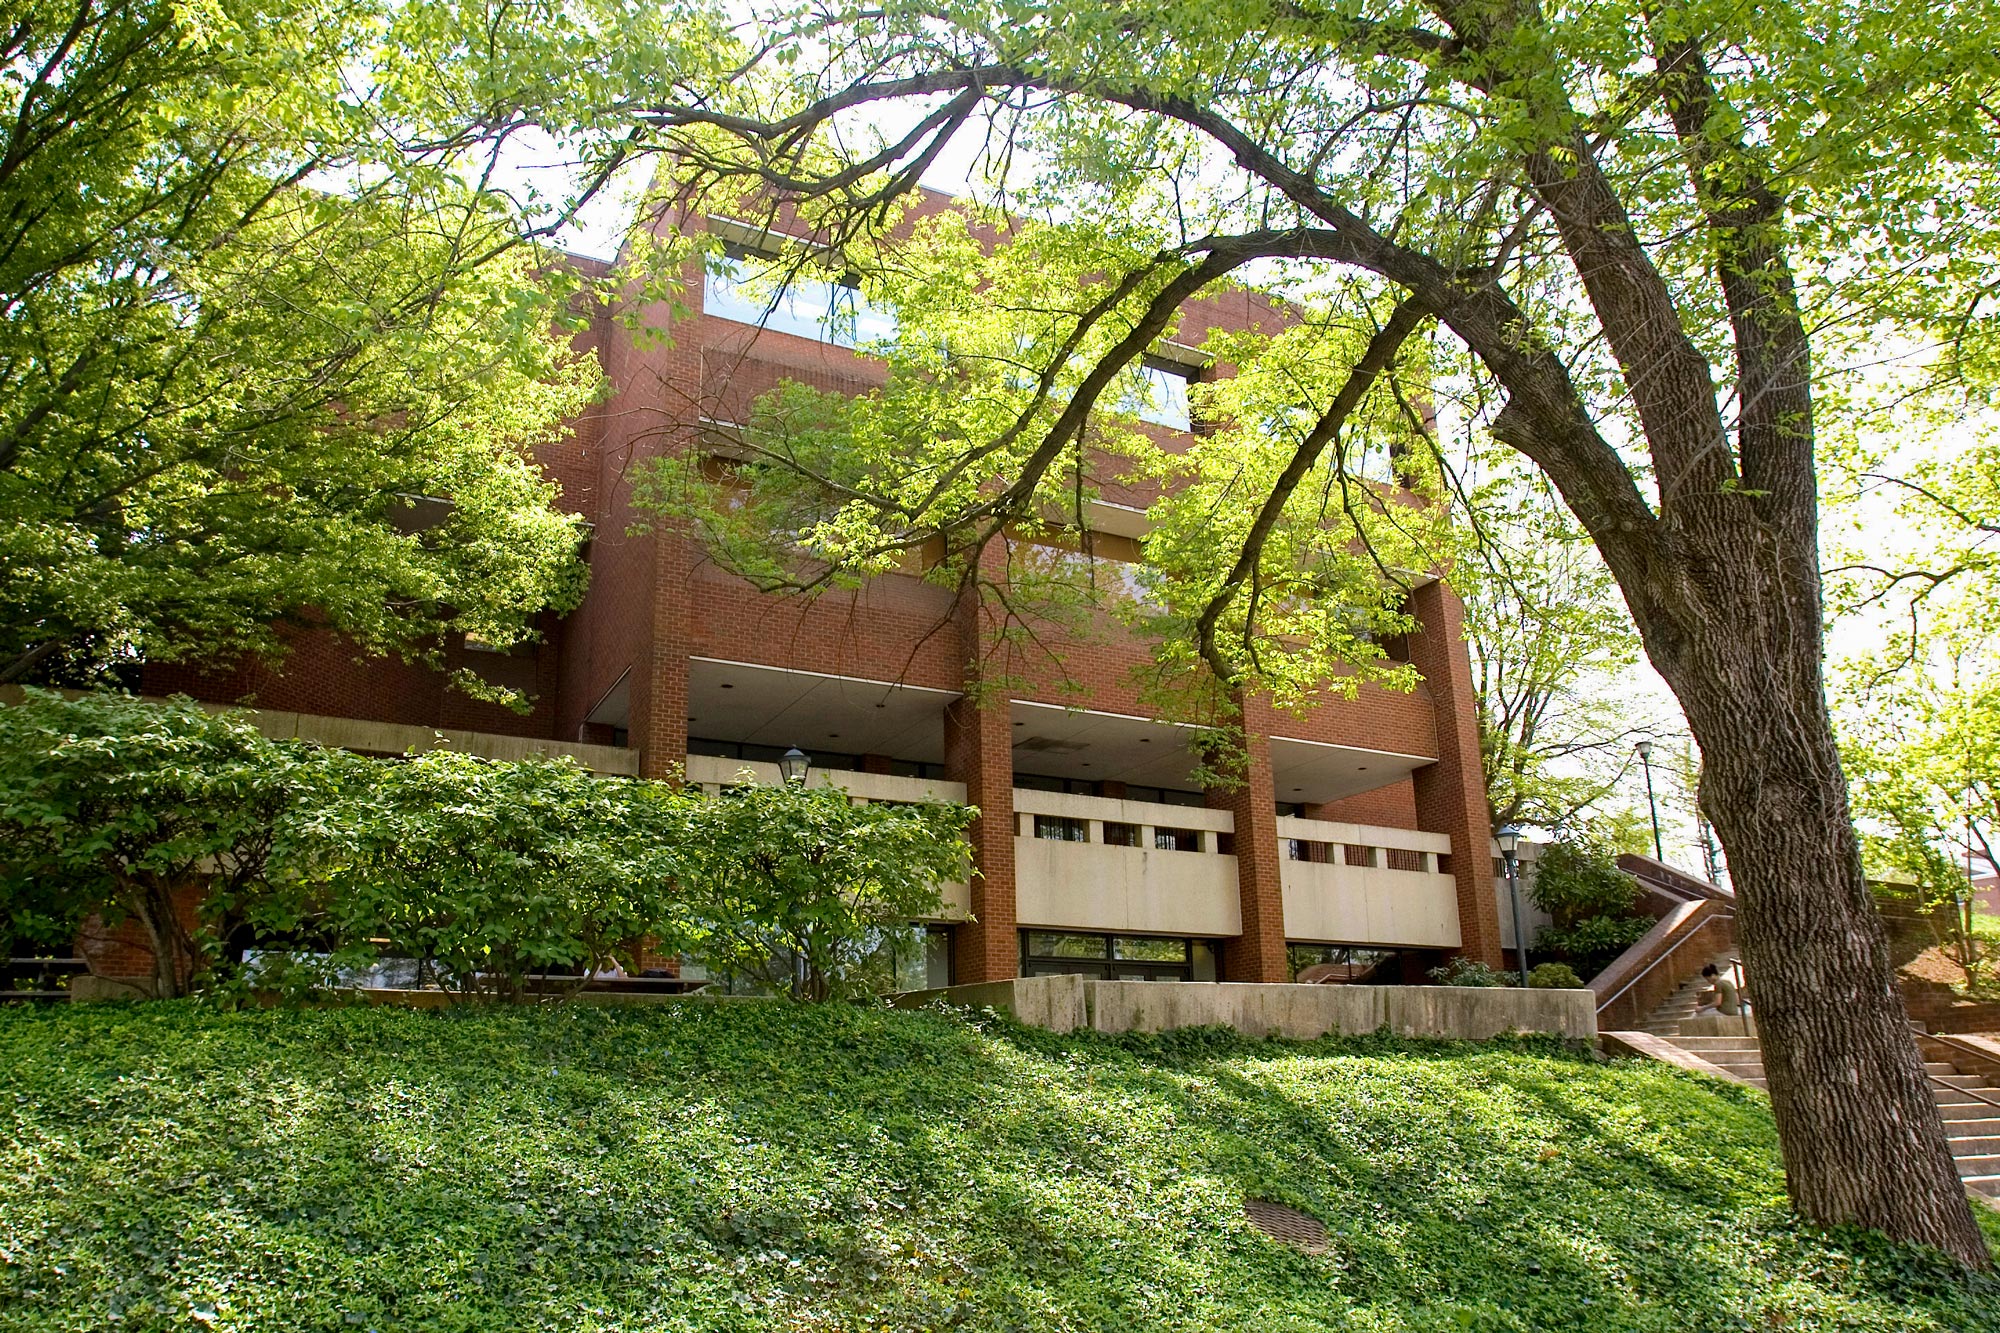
(753, 1166)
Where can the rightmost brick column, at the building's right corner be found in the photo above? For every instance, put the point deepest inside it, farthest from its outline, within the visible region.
(1451, 796)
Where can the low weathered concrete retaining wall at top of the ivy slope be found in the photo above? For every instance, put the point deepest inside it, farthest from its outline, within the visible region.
(1475, 1014)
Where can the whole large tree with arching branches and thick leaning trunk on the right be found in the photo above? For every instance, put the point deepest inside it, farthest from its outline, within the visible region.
(1647, 233)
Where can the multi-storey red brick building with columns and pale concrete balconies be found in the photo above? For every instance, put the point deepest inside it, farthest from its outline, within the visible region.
(1361, 828)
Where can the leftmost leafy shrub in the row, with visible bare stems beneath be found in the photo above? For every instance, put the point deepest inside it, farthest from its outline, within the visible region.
(113, 806)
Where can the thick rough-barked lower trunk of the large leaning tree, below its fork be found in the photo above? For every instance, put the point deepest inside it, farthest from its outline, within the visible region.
(1861, 1134)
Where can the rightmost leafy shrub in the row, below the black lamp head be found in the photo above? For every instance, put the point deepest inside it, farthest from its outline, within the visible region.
(799, 890)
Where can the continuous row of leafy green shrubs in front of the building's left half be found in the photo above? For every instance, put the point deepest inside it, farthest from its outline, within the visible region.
(487, 876)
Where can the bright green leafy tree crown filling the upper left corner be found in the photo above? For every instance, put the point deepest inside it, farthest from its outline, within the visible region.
(263, 307)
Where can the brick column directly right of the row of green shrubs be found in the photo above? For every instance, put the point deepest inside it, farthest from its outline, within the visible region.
(979, 752)
